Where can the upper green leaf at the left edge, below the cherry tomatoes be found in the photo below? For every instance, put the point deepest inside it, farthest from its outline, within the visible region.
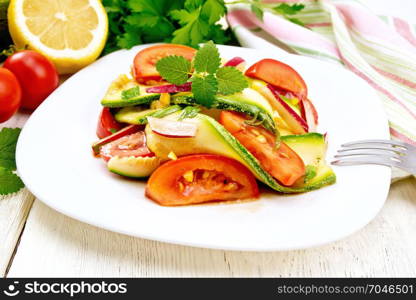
(8, 141)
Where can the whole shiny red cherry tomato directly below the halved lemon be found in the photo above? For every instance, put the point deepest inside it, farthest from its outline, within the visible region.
(36, 74)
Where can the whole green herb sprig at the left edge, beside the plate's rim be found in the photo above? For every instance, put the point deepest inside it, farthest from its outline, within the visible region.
(9, 182)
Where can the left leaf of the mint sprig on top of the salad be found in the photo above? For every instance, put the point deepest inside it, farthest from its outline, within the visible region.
(174, 69)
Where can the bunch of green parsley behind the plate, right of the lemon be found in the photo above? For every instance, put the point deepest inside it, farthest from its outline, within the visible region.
(189, 22)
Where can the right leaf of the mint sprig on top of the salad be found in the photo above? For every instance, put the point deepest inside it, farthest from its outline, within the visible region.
(230, 80)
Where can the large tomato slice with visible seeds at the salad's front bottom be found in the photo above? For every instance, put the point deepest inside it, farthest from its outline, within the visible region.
(201, 178)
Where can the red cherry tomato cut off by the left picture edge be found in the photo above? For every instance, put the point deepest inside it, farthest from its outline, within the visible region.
(10, 94)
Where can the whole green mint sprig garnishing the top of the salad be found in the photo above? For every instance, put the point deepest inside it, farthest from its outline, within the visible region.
(205, 72)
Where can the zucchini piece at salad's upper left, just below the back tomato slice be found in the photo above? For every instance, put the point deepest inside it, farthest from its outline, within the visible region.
(126, 92)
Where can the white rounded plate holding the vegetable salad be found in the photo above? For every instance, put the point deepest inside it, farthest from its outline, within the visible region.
(55, 161)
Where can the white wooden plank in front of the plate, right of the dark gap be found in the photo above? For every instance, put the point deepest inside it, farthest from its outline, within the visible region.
(55, 245)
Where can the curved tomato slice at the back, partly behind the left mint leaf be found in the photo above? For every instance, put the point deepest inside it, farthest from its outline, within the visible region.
(144, 68)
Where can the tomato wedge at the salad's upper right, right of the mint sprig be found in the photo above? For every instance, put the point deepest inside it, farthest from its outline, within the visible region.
(280, 75)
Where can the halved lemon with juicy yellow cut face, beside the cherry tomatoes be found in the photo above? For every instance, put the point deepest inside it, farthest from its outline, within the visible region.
(71, 33)
